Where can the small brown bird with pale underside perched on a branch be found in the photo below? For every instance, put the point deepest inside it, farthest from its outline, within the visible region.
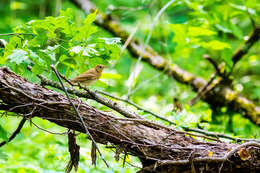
(90, 76)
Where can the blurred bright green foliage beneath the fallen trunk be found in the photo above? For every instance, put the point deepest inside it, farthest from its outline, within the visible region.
(36, 151)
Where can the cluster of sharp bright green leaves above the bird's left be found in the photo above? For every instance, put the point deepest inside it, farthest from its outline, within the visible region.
(59, 41)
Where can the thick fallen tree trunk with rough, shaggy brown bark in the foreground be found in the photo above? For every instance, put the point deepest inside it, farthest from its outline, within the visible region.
(160, 148)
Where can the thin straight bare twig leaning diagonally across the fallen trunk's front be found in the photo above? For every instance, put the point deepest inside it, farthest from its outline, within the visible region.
(79, 116)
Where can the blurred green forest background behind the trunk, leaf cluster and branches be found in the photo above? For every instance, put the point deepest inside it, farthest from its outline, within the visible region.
(186, 31)
